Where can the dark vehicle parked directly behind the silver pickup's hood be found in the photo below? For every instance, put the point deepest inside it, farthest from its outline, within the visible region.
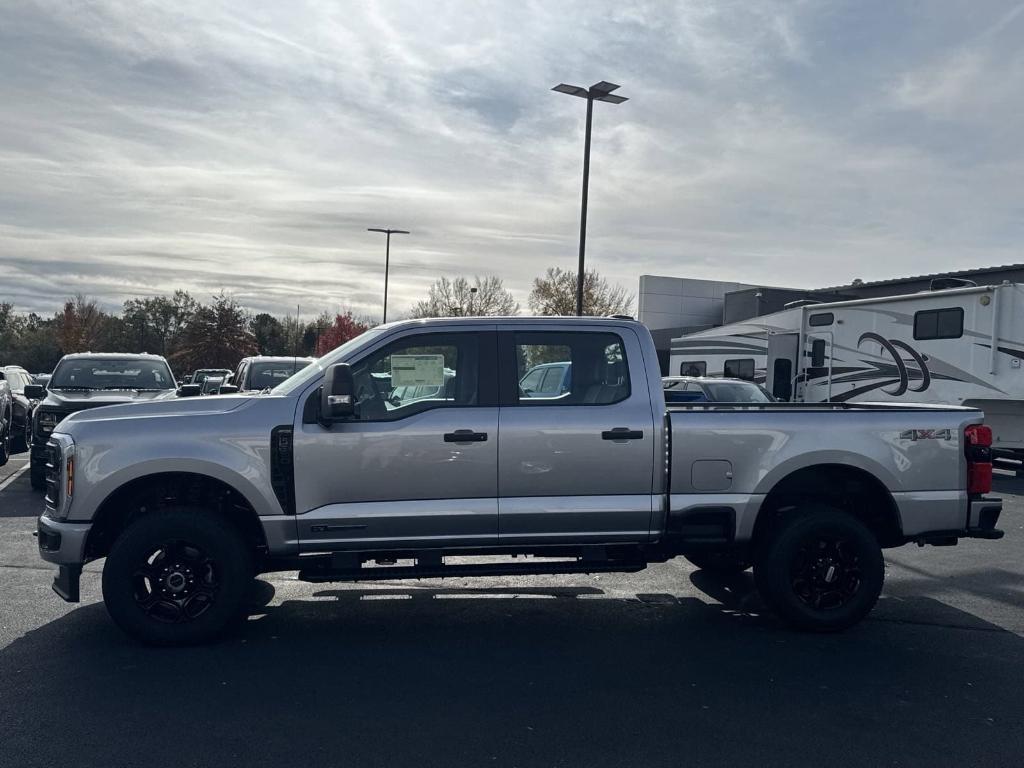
(91, 380)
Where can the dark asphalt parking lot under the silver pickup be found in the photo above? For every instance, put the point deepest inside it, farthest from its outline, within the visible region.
(666, 667)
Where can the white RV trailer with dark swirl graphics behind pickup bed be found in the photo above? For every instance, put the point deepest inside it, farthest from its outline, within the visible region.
(956, 347)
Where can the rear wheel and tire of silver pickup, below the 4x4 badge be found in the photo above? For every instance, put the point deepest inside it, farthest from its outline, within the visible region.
(821, 572)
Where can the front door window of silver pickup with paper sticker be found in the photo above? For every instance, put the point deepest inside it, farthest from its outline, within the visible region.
(417, 374)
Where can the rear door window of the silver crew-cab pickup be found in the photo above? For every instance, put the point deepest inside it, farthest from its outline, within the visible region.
(592, 369)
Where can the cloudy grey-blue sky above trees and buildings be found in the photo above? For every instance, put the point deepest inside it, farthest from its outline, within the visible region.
(246, 147)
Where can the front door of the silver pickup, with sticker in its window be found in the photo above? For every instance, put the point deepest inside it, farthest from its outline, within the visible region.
(417, 466)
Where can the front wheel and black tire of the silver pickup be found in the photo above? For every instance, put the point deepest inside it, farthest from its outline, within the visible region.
(178, 577)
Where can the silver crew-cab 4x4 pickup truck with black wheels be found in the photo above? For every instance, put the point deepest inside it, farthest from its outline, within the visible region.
(337, 475)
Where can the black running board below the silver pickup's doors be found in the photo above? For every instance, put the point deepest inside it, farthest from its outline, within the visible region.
(436, 569)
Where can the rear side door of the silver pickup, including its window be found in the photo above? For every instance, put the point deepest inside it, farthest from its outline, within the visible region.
(575, 464)
